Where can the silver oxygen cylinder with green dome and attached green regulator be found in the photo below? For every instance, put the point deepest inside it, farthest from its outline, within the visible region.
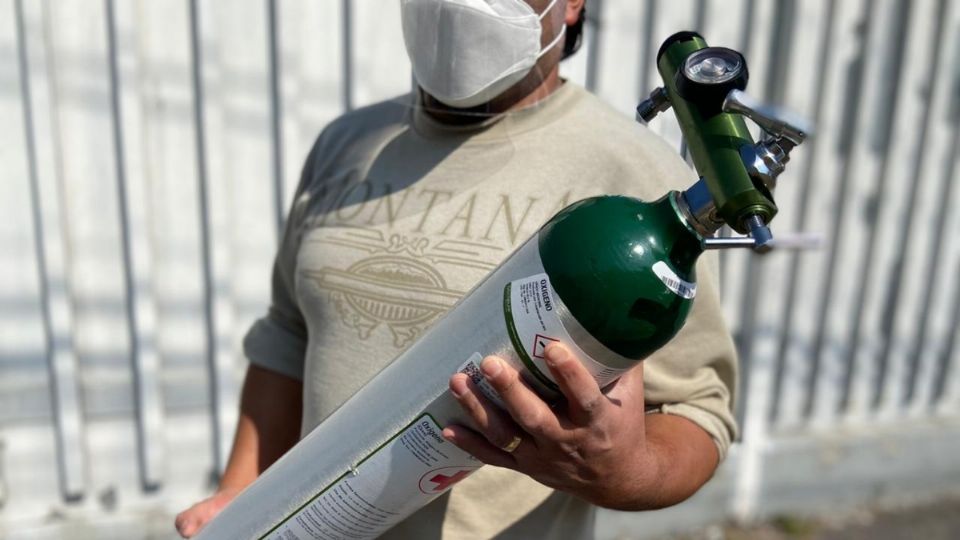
(611, 277)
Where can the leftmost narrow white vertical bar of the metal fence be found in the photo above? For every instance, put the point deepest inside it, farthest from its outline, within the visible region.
(39, 93)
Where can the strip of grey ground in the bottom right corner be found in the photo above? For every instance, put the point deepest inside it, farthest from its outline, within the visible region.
(939, 520)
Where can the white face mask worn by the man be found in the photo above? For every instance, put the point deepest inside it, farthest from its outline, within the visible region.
(467, 52)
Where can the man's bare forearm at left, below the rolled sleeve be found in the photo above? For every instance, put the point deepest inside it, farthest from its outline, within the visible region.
(271, 406)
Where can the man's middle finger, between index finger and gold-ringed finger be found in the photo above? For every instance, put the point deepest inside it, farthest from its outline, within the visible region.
(524, 405)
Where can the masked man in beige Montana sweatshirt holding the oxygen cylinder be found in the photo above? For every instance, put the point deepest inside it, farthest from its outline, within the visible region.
(403, 207)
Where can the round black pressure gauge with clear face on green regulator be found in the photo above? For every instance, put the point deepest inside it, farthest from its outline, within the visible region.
(708, 75)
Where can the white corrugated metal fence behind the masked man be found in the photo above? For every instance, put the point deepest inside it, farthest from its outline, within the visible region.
(148, 150)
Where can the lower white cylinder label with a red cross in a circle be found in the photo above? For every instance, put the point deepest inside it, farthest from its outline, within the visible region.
(407, 472)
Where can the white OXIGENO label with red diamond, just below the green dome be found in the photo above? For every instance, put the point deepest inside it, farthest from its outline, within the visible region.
(533, 304)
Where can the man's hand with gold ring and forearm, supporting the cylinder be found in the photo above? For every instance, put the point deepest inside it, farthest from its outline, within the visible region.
(599, 446)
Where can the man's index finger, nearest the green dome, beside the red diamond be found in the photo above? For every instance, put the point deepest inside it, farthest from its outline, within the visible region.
(584, 398)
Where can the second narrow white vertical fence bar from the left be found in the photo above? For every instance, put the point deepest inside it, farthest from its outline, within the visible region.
(137, 252)
